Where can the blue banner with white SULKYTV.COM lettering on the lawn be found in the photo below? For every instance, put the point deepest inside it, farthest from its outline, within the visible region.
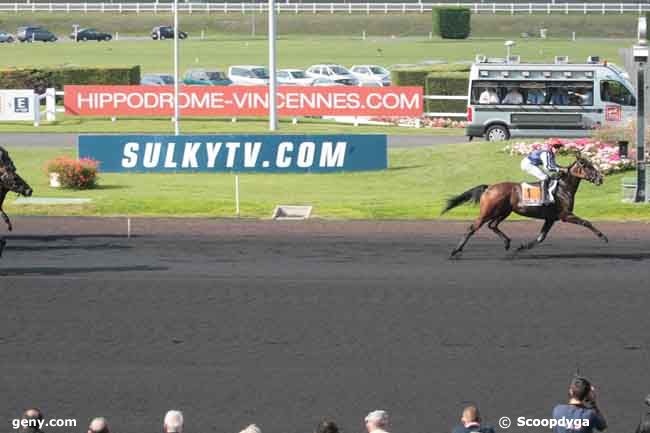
(240, 153)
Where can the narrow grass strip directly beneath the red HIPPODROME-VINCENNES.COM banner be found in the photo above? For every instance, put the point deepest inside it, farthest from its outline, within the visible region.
(71, 124)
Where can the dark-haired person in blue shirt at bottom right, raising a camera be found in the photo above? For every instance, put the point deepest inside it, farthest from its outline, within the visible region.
(581, 414)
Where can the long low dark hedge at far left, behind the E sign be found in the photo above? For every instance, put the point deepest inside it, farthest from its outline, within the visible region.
(40, 79)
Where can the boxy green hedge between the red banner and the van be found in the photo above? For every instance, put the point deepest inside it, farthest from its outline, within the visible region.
(446, 83)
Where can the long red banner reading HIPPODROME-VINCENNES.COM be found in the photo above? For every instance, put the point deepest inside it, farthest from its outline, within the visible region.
(232, 101)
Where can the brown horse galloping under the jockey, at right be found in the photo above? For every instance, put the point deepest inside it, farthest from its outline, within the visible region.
(501, 199)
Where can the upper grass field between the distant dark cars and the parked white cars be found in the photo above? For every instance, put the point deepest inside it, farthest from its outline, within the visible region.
(295, 51)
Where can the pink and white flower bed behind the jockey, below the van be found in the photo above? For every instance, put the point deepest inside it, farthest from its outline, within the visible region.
(602, 155)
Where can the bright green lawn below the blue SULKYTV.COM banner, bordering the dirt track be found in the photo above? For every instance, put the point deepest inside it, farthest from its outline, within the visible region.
(414, 187)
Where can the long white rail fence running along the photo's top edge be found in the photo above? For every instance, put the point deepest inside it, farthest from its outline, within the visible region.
(331, 8)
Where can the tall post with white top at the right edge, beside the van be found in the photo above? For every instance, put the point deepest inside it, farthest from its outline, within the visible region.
(640, 54)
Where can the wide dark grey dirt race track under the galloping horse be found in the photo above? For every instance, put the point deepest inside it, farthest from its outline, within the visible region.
(284, 323)
